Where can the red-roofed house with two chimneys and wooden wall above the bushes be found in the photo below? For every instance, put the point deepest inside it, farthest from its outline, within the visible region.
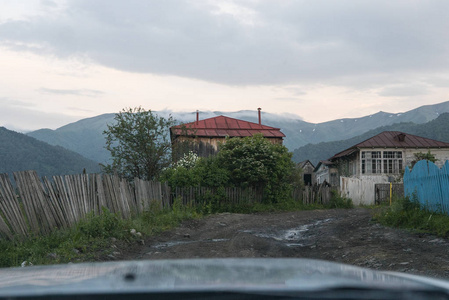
(205, 135)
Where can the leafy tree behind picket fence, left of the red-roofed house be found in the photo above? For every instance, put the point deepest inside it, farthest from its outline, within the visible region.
(139, 144)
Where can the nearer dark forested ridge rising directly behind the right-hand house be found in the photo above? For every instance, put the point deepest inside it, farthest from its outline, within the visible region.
(436, 129)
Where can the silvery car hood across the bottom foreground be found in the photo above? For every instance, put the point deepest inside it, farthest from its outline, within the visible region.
(247, 276)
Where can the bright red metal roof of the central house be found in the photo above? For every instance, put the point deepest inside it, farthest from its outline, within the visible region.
(222, 126)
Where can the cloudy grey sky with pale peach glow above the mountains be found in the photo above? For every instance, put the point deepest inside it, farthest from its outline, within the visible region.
(61, 61)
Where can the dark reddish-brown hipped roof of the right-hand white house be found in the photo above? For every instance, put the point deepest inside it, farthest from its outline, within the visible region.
(393, 139)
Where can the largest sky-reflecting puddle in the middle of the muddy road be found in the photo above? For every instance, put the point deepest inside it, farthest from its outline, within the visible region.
(294, 237)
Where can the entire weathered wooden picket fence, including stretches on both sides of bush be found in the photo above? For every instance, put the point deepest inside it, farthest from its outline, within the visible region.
(35, 207)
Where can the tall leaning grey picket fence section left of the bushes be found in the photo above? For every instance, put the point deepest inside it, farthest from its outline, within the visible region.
(36, 206)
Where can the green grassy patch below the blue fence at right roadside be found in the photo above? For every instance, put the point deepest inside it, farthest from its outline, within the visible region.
(408, 214)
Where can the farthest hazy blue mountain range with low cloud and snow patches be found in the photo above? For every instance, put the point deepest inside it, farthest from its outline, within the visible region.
(85, 136)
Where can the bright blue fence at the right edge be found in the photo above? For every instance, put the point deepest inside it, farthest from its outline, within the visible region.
(431, 185)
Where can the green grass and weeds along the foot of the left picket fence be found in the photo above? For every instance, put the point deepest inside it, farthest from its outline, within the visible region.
(96, 238)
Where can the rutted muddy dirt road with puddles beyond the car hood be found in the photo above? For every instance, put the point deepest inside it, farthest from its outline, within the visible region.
(346, 236)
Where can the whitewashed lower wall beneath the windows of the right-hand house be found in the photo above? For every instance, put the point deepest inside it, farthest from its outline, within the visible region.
(361, 190)
